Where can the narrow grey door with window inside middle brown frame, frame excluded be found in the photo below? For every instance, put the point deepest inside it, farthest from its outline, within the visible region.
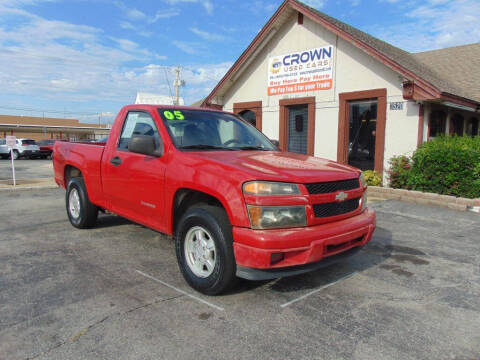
(298, 129)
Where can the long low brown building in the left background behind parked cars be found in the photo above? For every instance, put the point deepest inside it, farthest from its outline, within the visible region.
(41, 128)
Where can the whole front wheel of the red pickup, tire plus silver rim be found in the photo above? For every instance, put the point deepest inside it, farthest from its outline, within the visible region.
(213, 221)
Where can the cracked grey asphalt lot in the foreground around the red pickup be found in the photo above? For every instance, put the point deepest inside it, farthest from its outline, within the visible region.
(115, 292)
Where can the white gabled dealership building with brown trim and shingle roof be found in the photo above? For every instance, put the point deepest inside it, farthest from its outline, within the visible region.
(324, 88)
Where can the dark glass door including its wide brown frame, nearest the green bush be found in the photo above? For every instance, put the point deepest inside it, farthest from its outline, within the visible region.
(361, 129)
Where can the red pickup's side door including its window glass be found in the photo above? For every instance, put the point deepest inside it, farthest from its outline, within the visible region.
(134, 183)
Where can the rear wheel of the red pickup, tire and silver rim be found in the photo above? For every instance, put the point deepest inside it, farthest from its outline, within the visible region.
(81, 212)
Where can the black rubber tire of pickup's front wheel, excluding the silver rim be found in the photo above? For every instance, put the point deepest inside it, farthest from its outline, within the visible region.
(215, 221)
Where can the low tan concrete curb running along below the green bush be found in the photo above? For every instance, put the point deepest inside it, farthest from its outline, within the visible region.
(418, 197)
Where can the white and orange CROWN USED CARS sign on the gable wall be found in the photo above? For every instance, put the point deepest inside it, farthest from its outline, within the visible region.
(301, 71)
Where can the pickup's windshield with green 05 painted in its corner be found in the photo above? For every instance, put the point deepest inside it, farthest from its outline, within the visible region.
(209, 130)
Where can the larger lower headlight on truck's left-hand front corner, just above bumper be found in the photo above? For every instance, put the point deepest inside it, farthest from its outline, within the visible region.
(269, 217)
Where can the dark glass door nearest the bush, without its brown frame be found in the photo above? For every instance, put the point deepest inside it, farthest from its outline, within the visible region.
(362, 133)
